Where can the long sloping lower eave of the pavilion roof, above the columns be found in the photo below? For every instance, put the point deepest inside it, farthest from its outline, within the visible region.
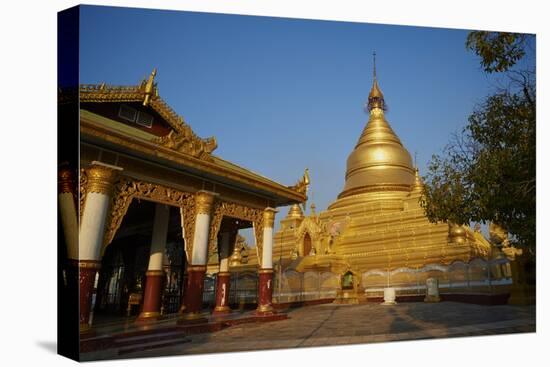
(153, 149)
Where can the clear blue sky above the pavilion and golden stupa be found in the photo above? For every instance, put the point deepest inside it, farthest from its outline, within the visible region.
(284, 94)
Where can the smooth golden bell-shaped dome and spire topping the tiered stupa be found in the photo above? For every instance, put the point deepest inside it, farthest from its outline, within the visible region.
(379, 161)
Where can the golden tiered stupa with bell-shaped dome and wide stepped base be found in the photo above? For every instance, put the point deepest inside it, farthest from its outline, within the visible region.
(376, 231)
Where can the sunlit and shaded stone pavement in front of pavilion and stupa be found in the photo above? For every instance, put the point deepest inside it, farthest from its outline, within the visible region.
(351, 324)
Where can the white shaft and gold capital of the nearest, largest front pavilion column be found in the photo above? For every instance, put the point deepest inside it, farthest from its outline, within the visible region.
(101, 178)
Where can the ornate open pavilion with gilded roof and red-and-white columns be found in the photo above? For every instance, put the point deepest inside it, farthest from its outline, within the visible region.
(149, 198)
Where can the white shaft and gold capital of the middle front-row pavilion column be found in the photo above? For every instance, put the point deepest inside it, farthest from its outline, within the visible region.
(204, 202)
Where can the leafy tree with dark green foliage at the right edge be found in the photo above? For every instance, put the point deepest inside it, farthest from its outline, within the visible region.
(487, 171)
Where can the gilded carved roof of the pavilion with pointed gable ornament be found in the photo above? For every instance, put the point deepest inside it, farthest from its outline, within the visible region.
(181, 146)
